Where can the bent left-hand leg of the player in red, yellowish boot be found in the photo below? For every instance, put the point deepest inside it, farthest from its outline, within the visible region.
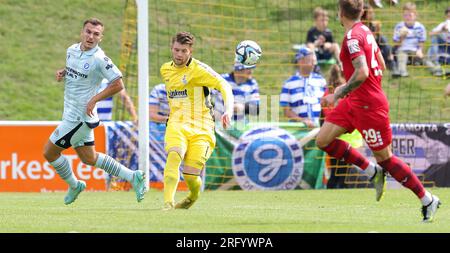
(328, 142)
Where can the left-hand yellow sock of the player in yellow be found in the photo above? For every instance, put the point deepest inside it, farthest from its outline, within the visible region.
(171, 176)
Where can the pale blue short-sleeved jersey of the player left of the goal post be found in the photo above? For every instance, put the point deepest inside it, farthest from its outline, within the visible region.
(84, 72)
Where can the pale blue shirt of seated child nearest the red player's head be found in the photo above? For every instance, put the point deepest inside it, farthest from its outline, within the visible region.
(416, 34)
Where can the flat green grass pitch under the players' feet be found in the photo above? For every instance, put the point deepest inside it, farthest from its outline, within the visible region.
(350, 210)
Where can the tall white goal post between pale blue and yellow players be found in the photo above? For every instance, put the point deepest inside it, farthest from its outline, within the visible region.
(143, 89)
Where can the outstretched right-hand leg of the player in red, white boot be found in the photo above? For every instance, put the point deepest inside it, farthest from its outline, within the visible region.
(403, 174)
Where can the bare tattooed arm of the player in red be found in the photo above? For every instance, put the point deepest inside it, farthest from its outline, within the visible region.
(359, 76)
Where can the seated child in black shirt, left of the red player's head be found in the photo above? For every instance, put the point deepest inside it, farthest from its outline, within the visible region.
(320, 39)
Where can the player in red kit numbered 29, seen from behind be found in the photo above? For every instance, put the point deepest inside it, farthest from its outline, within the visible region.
(364, 106)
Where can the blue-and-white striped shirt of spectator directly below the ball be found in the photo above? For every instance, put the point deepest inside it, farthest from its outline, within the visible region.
(247, 92)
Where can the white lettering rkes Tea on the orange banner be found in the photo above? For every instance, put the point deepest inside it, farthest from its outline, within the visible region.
(34, 170)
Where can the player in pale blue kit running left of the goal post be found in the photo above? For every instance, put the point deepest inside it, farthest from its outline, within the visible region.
(86, 66)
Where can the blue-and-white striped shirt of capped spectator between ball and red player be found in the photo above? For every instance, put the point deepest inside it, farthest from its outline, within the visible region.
(303, 94)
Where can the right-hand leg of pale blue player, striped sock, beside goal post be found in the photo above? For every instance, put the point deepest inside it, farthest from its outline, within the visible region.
(89, 156)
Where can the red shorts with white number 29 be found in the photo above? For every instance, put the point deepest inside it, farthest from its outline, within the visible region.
(372, 123)
